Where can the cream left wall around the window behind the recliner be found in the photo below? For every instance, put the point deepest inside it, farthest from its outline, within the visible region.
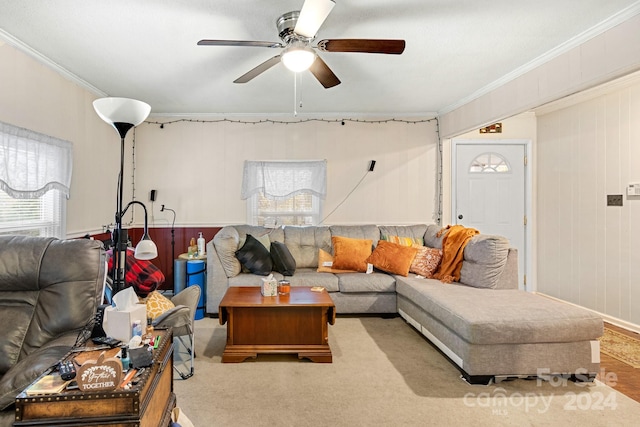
(35, 97)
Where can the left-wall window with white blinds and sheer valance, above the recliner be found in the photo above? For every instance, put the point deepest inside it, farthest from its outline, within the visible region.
(35, 175)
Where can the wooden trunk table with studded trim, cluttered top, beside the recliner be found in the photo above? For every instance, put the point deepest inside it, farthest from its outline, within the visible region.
(147, 404)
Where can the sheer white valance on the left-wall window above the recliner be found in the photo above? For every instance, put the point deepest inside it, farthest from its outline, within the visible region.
(32, 163)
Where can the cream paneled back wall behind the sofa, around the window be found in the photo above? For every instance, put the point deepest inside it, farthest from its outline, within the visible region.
(196, 168)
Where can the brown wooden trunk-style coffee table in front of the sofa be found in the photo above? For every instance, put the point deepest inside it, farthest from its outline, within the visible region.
(296, 323)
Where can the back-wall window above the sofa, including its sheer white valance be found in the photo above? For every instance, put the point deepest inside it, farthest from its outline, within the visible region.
(284, 192)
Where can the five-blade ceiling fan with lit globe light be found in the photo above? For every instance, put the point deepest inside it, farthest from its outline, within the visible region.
(298, 30)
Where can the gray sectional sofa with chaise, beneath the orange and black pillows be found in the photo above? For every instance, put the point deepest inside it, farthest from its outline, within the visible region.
(484, 324)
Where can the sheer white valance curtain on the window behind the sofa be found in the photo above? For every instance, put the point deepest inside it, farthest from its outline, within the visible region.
(279, 180)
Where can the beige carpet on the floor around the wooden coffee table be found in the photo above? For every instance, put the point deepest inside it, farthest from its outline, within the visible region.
(385, 374)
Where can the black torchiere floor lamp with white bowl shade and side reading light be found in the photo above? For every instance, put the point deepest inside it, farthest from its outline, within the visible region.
(124, 114)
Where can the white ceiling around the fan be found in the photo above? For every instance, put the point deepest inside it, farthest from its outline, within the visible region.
(455, 50)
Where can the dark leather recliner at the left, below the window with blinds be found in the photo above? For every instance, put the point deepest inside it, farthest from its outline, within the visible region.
(49, 293)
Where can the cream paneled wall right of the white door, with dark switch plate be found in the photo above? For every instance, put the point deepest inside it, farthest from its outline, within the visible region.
(589, 253)
